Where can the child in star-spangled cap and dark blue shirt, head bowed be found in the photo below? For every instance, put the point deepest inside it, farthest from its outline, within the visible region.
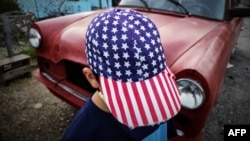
(136, 91)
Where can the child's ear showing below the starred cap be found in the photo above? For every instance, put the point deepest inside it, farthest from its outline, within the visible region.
(90, 76)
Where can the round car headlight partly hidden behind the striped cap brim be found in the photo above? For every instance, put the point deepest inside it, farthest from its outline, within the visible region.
(191, 93)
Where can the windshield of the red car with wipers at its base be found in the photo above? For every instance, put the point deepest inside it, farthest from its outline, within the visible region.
(213, 9)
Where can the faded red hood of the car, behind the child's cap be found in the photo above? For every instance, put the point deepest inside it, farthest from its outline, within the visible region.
(178, 34)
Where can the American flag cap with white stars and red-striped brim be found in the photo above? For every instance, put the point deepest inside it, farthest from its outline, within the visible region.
(123, 47)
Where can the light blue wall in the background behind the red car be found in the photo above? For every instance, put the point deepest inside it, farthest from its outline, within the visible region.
(45, 8)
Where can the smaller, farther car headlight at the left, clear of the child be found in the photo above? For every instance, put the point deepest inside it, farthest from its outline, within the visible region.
(34, 38)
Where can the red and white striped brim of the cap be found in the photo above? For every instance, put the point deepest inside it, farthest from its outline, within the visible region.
(142, 103)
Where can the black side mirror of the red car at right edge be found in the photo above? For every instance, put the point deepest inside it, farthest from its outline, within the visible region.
(240, 12)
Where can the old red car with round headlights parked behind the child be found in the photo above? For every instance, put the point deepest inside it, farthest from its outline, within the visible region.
(198, 37)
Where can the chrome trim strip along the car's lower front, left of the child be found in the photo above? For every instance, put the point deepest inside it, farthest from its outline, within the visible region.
(66, 88)
